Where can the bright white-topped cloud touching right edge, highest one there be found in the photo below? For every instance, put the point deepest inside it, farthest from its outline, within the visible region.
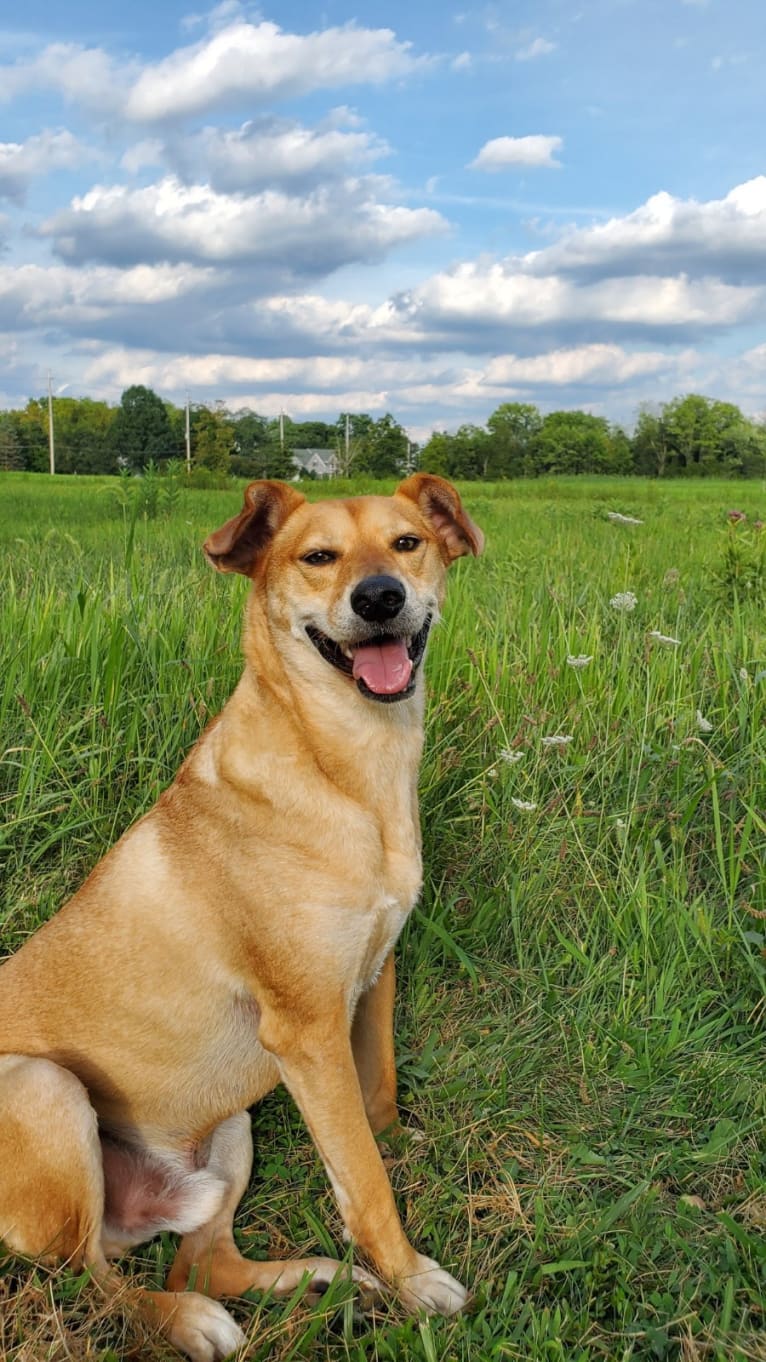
(723, 238)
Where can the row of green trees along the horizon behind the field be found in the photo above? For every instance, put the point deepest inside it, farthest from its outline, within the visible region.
(690, 437)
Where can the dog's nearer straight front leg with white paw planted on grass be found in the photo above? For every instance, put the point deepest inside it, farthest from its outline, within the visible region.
(318, 1067)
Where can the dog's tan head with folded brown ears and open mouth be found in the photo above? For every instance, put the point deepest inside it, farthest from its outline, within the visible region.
(358, 582)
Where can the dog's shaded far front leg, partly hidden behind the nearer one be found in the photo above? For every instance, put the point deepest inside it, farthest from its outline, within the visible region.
(373, 1044)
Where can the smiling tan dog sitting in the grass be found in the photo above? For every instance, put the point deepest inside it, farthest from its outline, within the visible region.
(242, 934)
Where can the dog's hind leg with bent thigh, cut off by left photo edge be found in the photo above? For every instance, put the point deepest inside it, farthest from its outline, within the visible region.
(52, 1199)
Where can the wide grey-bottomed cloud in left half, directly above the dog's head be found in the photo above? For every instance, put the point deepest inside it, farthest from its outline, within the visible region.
(294, 236)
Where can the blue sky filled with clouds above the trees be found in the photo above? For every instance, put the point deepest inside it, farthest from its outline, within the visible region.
(423, 209)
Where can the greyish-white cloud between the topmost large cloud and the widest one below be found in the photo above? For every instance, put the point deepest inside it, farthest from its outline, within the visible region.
(269, 152)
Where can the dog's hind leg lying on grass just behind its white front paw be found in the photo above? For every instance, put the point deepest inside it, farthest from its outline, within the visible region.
(209, 1261)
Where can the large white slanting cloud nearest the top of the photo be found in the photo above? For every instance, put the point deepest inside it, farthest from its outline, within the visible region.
(260, 62)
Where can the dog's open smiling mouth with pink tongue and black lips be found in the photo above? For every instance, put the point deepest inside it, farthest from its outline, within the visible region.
(385, 668)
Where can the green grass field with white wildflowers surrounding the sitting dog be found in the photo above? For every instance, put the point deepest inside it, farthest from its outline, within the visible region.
(581, 1025)
